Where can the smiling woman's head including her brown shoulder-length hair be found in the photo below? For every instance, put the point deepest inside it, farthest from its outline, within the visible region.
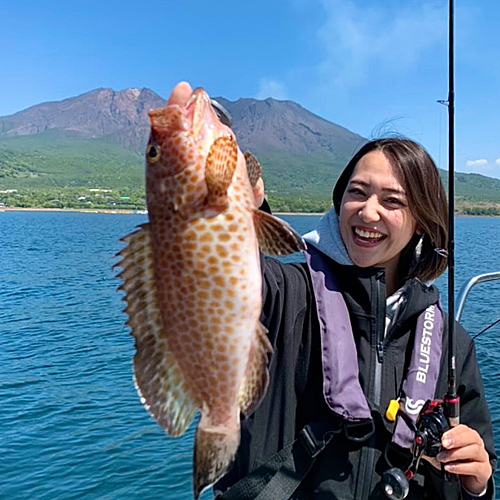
(392, 186)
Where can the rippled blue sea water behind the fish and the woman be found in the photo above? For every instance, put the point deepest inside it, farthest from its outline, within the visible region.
(71, 424)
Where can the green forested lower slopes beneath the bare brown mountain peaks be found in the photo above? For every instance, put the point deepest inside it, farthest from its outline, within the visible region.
(46, 170)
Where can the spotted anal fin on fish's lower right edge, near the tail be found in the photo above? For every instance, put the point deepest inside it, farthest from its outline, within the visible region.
(256, 379)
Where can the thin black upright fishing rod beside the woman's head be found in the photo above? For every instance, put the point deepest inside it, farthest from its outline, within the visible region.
(451, 399)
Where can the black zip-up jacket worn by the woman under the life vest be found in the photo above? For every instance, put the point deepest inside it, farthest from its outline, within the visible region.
(345, 469)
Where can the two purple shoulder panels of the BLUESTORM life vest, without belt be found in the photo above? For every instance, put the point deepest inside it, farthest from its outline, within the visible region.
(341, 388)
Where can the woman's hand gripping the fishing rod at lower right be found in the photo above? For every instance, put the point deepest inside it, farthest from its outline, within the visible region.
(464, 453)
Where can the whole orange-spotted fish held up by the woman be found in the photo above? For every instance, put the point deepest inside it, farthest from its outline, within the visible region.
(192, 281)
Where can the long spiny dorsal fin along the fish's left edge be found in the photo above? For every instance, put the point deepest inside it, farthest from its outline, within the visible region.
(159, 381)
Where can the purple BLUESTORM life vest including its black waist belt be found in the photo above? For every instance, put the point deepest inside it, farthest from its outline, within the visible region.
(283, 472)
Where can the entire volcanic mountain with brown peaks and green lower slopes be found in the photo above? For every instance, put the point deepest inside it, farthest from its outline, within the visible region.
(97, 139)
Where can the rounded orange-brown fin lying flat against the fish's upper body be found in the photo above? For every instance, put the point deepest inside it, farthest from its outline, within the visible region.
(219, 169)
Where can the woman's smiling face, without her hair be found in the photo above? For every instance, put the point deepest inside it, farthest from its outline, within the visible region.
(375, 221)
